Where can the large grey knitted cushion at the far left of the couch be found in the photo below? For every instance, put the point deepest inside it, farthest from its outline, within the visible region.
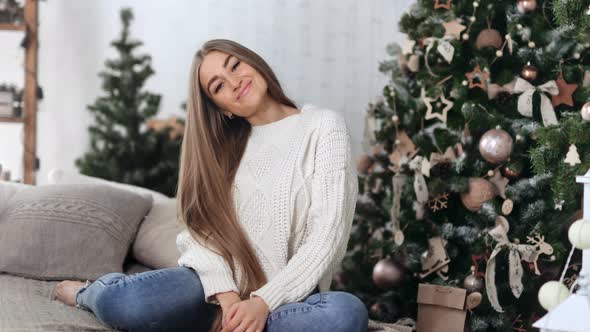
(69, 231)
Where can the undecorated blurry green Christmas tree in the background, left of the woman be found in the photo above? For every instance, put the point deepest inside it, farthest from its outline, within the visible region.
(127, 144)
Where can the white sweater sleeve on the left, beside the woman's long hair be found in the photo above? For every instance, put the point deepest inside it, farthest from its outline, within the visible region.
(214, 272)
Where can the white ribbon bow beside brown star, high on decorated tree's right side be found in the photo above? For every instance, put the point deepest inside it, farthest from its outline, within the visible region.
(525, 101)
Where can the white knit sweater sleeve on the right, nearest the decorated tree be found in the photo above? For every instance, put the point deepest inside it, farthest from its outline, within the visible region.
(333, 197)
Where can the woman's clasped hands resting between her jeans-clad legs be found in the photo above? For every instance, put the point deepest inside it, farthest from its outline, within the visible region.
(246, 316)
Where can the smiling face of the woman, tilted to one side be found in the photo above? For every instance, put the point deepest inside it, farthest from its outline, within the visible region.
(231, 84)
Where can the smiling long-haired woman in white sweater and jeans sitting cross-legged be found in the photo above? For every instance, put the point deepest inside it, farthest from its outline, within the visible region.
(267, 193)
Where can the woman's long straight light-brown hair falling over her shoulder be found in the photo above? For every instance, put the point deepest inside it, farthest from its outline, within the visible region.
(211, 151)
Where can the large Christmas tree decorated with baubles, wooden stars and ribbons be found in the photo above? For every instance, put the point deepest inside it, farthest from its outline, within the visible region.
(471, 156)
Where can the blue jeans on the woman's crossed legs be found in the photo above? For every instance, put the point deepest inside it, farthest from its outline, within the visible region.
(172, 299)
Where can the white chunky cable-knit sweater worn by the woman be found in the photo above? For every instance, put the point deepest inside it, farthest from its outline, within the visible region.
(295, 193)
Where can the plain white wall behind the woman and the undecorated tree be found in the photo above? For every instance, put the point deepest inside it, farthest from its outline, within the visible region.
(324, 52)
